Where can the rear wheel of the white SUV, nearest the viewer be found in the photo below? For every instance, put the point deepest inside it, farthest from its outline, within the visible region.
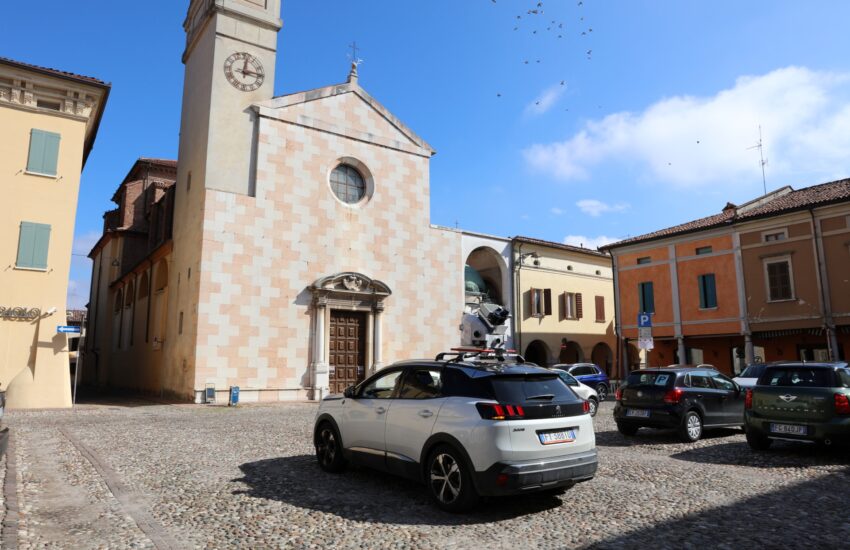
(449, 480)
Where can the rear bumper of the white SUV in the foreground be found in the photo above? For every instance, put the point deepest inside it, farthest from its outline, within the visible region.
(516, 477)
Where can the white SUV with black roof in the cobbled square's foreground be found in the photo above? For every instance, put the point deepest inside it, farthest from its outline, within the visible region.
(466, 428)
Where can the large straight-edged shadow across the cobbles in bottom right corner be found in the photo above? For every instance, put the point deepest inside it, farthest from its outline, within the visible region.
(793, 517)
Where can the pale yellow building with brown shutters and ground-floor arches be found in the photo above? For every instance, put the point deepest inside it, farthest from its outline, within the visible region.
(564, 303)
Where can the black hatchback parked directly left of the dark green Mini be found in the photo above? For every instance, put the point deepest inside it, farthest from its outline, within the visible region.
(687, 399)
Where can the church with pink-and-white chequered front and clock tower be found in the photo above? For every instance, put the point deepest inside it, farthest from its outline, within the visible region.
(301, 256)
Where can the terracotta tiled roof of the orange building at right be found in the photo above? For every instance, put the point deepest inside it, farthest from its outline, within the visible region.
(808, 197)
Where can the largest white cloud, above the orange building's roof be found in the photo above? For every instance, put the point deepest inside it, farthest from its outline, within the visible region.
(691, 141)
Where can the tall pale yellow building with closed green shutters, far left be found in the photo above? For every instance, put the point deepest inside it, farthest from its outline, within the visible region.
(49, 121)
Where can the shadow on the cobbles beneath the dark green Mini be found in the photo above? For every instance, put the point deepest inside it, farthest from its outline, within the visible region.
(783, 454)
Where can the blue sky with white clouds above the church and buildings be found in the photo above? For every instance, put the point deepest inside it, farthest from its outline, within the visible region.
(649, 129)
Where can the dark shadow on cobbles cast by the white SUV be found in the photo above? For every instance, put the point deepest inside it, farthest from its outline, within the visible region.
(366, 495)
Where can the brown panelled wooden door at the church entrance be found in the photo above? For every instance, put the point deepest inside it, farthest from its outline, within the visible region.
(347, 349)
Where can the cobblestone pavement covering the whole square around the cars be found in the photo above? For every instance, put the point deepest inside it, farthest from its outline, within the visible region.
(165, 476)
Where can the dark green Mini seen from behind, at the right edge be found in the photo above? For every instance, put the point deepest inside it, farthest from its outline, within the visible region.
(799, 402)
